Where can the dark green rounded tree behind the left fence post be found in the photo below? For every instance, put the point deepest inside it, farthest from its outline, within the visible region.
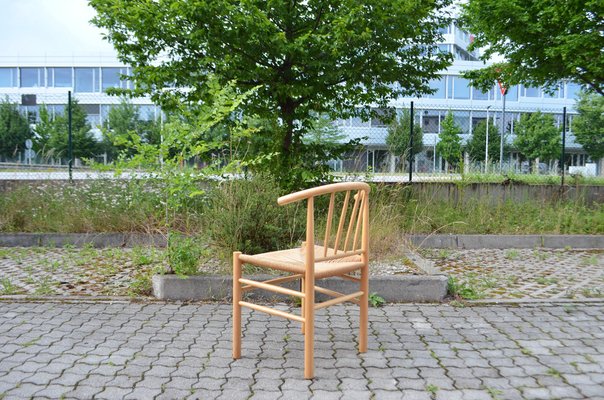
(56, 131)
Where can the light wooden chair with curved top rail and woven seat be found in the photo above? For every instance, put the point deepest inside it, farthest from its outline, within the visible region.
(313, 261)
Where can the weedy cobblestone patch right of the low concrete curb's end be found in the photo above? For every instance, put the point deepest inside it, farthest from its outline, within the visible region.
(524, 273)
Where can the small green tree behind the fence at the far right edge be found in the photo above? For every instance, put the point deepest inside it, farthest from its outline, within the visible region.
(588, 126)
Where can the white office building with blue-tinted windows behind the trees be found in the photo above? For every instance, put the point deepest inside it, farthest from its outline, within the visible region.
(33, 81)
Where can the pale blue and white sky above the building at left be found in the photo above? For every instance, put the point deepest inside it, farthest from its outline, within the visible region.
(49, 27)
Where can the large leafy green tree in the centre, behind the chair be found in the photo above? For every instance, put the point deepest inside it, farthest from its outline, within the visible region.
(305, 57)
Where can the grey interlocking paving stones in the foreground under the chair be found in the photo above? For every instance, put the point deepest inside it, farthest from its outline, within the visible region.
(176, 351)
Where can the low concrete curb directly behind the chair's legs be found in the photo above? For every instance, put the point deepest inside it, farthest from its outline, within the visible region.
(393, 288)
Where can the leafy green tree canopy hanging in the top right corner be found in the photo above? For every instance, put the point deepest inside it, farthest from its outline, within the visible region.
(542, 41)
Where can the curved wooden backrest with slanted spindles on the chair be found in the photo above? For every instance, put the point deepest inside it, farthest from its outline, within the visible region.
(351, 226)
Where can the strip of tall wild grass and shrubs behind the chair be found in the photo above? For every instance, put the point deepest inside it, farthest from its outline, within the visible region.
(133, 206)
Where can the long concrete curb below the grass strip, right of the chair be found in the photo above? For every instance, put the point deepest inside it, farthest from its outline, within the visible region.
(507, 241)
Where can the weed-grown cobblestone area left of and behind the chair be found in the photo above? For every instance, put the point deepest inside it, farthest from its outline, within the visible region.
(109, 272)
